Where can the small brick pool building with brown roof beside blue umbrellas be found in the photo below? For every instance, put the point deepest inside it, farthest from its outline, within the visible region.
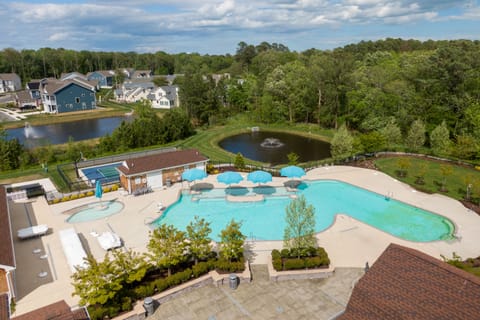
(158, 170)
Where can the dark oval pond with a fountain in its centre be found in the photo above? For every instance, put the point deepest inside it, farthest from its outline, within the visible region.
(273, 147)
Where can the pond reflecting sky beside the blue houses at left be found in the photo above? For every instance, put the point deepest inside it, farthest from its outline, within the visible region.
(33, 136)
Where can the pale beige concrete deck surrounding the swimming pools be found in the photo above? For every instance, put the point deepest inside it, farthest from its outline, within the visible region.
(349, 243)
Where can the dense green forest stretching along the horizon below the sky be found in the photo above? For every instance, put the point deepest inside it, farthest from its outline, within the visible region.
(379, 90)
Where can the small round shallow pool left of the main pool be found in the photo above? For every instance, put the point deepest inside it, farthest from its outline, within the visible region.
(94, 211)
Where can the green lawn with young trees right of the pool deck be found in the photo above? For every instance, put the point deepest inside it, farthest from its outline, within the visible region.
(455, 183)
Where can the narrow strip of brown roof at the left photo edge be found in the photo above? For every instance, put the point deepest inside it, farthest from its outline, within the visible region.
(7, 256)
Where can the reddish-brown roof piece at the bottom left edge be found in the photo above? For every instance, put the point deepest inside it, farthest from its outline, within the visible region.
(55, 311)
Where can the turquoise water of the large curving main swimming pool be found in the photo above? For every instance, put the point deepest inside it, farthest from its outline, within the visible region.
(265, 220)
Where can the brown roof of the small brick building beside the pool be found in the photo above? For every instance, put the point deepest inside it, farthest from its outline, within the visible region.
(159, 161)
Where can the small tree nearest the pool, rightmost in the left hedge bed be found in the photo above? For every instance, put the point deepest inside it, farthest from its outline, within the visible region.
(231, 241)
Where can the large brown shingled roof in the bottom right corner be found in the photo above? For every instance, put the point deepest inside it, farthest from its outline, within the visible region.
(407, 284)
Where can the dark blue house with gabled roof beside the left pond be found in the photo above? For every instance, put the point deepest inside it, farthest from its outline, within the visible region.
(66, 96)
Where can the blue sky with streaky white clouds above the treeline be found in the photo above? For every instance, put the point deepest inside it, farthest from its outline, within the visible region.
(217, 26)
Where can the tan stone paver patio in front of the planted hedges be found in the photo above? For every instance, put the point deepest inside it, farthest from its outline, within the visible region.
(264, 299)
